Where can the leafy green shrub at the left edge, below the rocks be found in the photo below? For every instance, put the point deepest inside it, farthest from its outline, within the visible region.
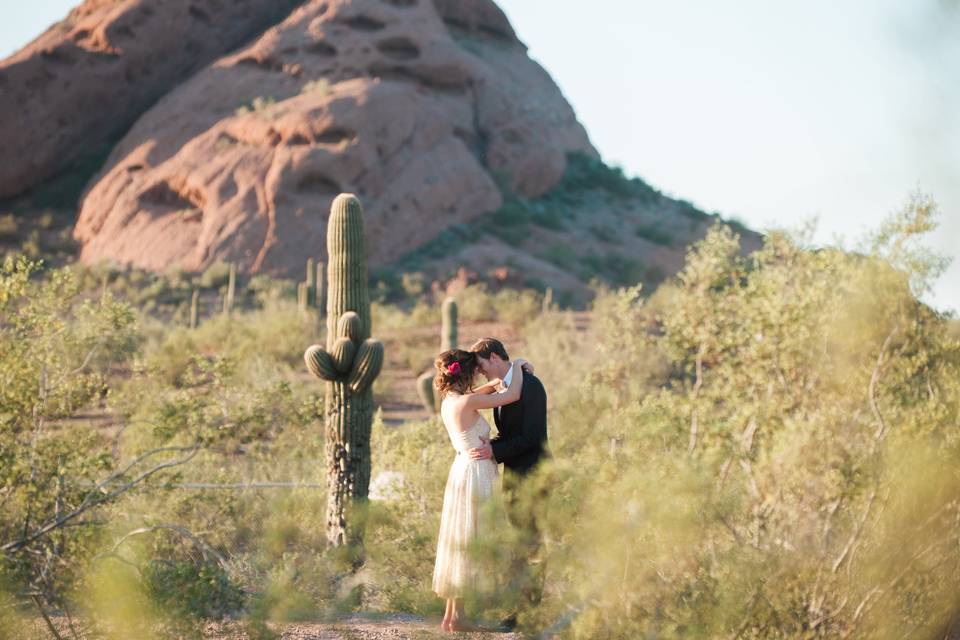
(57, 351)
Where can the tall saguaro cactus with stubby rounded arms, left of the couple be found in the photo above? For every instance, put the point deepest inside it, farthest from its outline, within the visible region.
(349, 364)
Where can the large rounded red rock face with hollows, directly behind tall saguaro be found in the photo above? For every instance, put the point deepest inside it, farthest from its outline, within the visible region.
(413, 105)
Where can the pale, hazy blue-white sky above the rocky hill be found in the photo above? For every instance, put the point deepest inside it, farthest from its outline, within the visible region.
(774, 113)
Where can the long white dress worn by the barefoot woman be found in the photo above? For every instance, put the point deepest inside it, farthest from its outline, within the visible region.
(469, 483)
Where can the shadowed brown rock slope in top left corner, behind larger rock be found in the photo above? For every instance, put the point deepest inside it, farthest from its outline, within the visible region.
(81, 84)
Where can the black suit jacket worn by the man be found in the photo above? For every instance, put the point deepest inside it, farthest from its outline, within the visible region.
(522, 427)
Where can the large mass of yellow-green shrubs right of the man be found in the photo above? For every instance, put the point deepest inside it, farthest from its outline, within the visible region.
(731, 448)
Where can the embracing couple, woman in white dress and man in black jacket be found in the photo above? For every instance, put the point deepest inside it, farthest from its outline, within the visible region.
(519, 405)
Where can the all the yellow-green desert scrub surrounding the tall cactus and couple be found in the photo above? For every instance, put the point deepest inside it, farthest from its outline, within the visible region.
(765, 447)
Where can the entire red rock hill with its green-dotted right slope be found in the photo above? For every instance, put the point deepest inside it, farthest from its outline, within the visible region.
(228, 141)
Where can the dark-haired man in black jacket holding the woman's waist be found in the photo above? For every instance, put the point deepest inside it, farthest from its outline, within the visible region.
(519, 445)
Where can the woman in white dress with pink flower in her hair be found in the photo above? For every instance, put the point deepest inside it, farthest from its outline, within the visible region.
(470, 481)
